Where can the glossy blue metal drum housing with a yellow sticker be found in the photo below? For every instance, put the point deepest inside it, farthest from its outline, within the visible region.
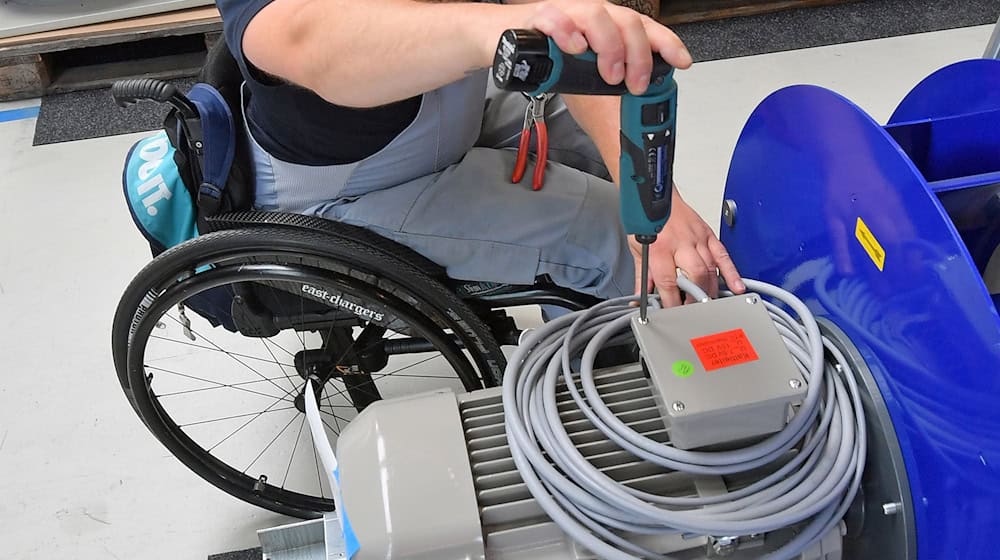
(886, 231)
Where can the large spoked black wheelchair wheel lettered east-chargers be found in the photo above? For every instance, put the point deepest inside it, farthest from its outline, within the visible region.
(214, 340)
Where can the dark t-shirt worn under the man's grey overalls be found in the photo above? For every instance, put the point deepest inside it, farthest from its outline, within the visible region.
(296, 125)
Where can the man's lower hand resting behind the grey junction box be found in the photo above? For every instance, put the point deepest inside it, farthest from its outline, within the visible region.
(688, 243)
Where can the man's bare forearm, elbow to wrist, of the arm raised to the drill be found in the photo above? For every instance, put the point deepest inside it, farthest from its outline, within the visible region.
(365, 54)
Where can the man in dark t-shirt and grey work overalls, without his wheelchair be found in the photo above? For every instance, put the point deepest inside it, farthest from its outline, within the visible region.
(373, 114)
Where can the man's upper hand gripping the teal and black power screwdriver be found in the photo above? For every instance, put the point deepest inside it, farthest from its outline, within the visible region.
(622, 38)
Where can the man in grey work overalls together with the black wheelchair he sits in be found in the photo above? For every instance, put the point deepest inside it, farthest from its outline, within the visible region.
(386, 230)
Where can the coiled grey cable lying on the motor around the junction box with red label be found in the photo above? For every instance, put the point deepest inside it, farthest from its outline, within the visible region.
(812, 491)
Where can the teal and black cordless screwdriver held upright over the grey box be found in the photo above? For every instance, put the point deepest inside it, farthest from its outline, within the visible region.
(532, 63)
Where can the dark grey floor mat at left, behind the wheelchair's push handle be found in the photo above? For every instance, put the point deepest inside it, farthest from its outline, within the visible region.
(93, 114)
